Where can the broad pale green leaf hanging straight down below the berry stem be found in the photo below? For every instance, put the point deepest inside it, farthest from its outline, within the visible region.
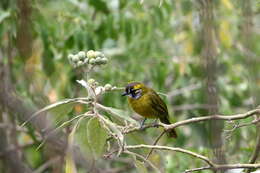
(96, 136)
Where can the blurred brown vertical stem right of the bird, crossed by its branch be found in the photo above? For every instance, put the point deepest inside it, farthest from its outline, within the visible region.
(209, 57)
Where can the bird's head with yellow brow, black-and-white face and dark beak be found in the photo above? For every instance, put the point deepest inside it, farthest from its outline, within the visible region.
(135, 90)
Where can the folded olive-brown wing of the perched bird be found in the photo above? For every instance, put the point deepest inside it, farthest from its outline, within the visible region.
(158, 104)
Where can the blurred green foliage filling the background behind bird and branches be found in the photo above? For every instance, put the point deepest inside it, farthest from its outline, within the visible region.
(160, 43)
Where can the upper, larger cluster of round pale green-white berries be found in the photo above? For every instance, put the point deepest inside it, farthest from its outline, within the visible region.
(91, 57)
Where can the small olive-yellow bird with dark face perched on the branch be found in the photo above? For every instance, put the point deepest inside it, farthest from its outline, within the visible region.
(147, 103)
